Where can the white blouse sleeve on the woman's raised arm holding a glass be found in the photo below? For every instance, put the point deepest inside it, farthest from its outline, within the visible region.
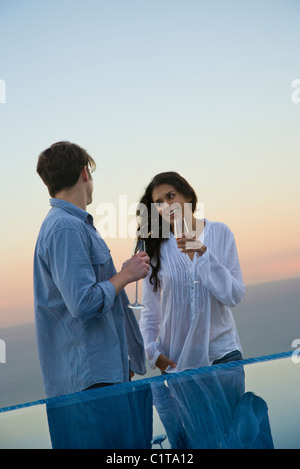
(221, 274)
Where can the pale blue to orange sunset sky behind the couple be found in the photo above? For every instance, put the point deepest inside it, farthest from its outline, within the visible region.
(201, 88)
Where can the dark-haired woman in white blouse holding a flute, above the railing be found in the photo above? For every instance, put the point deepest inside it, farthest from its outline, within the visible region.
(185, 324)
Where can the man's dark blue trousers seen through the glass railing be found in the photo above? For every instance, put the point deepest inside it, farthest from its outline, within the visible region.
(96, 419)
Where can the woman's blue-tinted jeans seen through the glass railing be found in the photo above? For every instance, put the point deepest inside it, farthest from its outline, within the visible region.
(212, 411)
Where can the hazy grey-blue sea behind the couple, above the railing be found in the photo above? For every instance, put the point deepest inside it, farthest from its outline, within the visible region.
(268, 320)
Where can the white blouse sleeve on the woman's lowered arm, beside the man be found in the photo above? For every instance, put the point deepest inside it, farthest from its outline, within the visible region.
(150, 320)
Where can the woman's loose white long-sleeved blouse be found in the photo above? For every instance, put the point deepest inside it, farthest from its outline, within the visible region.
(191, 323)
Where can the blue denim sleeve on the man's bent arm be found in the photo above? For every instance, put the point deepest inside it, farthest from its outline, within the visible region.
(74, 276)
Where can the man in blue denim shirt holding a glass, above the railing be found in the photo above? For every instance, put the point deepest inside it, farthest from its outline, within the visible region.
(86, 334)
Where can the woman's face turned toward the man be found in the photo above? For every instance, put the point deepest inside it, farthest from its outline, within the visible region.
(170, 203)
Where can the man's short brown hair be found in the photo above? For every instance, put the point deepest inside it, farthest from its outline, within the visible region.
(60, 165)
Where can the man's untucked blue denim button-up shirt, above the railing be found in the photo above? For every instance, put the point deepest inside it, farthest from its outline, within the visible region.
(84, 331)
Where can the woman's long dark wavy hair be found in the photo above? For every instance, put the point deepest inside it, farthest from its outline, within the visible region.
(147, 219)
